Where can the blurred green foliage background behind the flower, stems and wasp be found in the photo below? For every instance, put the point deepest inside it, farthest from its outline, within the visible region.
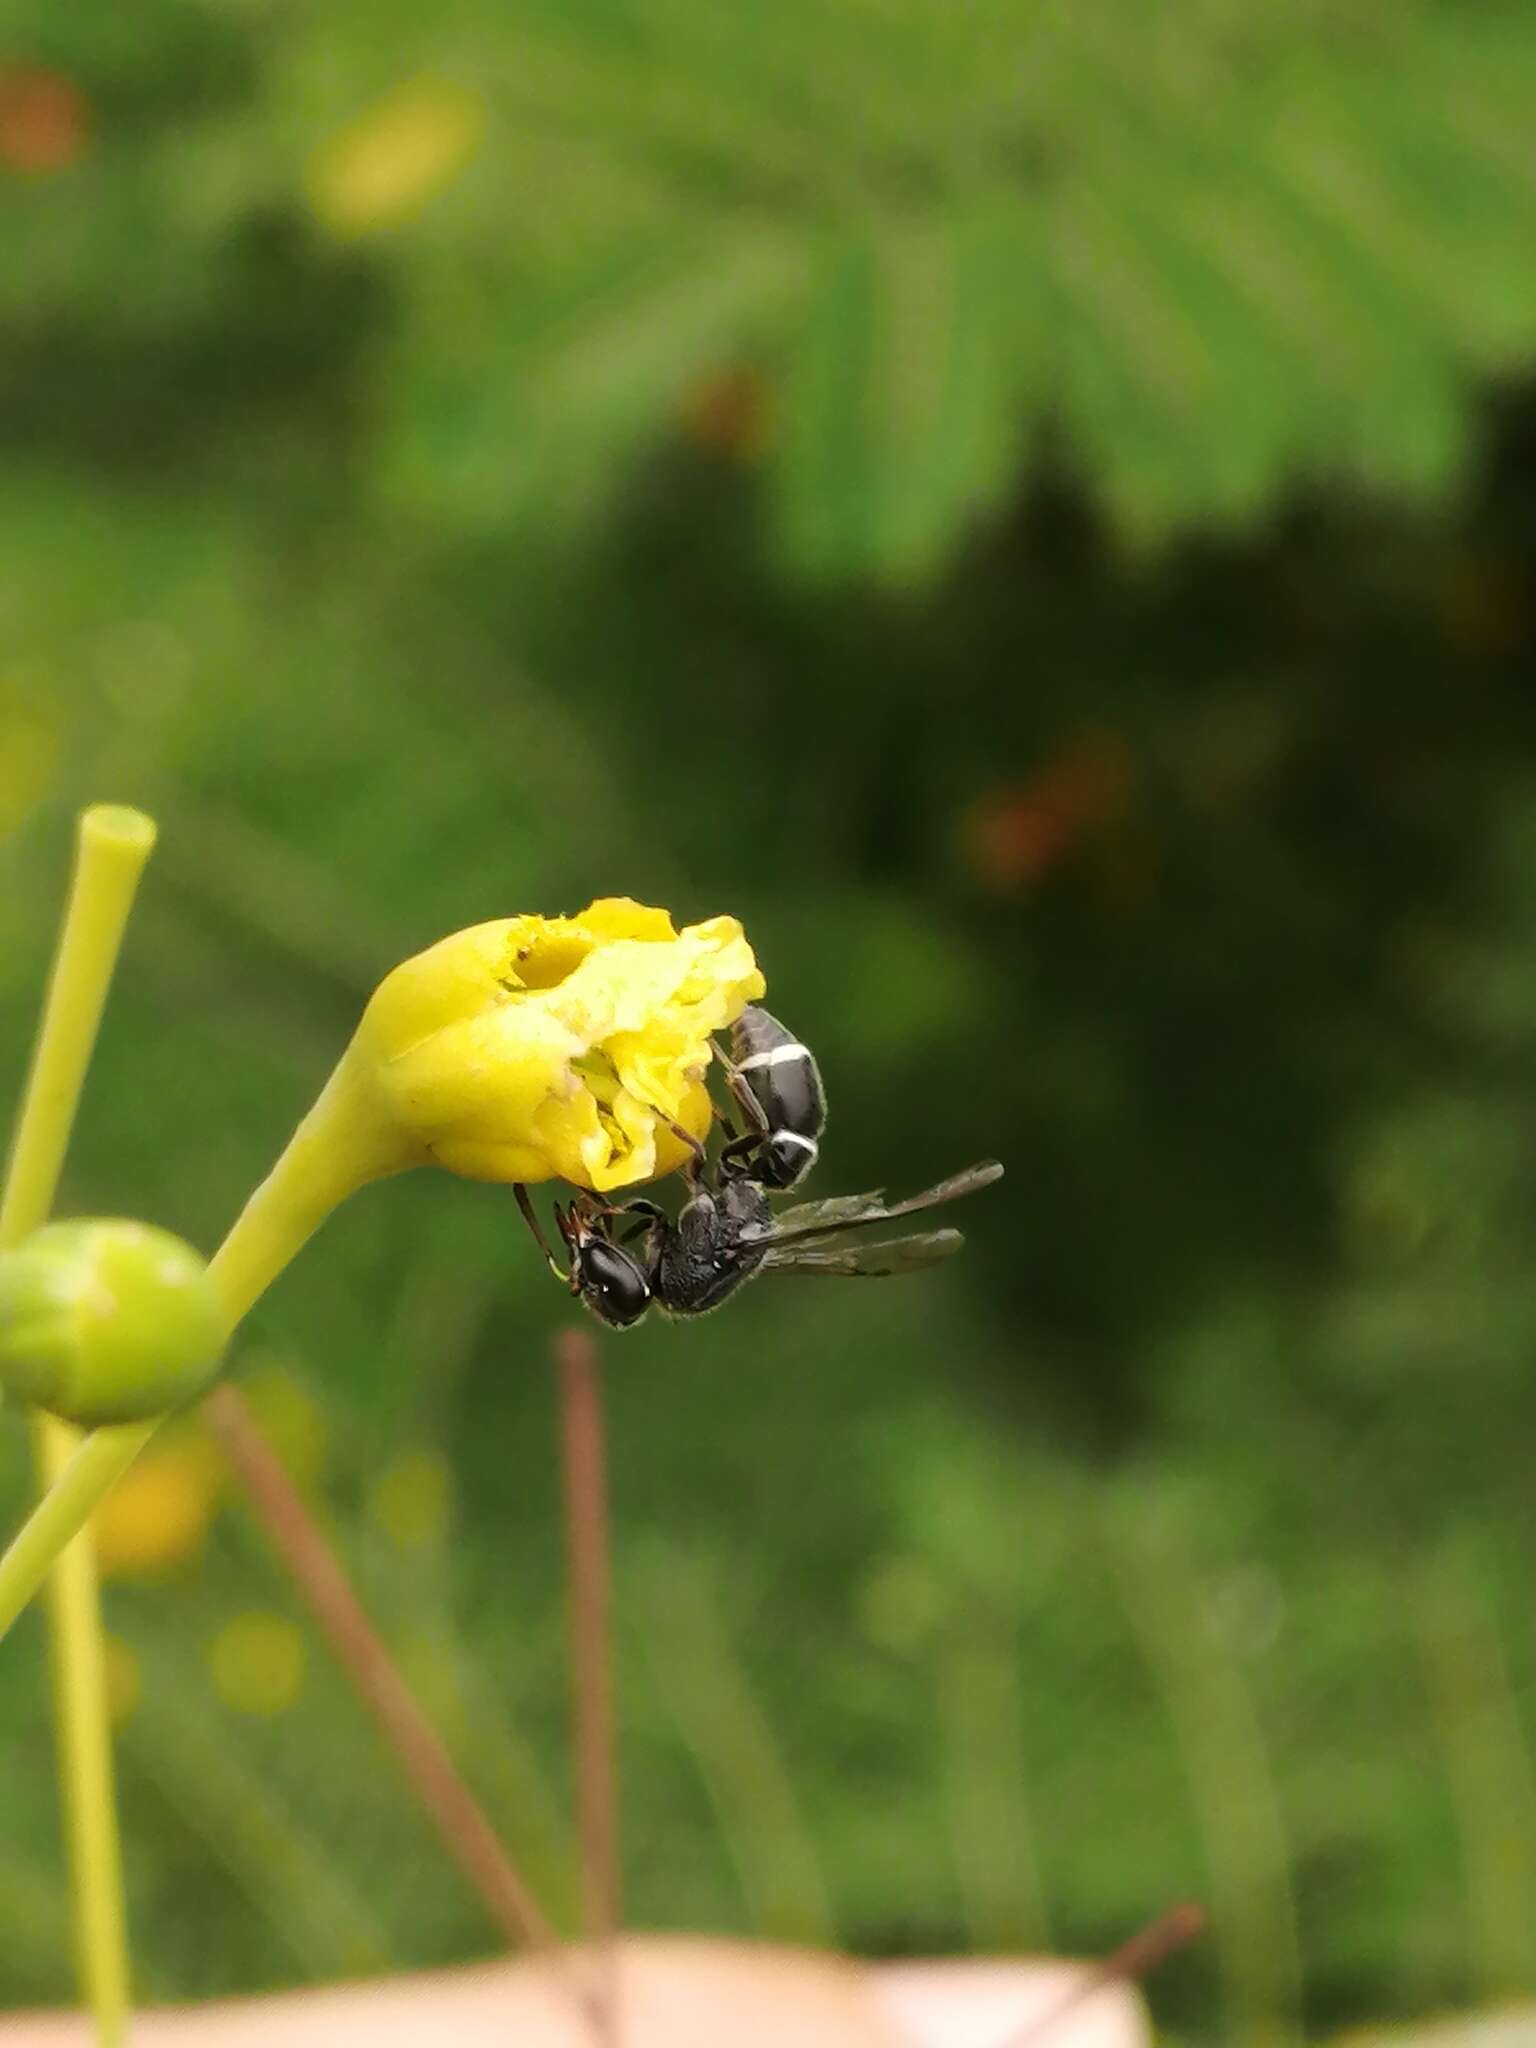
(1035, 511)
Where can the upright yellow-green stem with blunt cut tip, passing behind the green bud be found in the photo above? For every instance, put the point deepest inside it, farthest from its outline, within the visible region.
(112, 849)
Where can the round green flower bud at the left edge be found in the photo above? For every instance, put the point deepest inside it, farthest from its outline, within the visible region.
(108, 1322)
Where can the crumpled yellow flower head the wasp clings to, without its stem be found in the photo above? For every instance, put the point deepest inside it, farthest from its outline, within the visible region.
(556, 1048)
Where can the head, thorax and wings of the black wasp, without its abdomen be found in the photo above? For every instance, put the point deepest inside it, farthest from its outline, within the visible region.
(724, 1236)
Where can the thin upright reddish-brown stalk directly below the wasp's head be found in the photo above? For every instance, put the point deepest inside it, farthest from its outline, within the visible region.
(589, 1568)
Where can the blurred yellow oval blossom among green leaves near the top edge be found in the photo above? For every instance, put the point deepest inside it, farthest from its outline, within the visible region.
(390, 161)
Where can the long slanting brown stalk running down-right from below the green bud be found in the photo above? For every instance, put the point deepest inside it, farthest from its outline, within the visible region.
(361, 1652)
